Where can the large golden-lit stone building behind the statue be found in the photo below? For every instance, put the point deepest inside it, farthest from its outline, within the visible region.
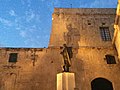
(95, 61)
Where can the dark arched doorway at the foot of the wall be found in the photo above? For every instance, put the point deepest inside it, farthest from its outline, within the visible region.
(101, 84)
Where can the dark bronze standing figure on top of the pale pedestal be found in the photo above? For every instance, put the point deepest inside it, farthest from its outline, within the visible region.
(67, 55)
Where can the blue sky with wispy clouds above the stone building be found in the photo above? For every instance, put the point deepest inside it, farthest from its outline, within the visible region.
(27, 23)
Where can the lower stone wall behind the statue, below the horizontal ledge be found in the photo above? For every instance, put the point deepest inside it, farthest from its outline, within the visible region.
(88, 63)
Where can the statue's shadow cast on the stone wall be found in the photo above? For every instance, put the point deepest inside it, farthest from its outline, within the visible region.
(72, 38)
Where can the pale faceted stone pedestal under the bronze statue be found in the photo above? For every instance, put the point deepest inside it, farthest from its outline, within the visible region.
(65, 81)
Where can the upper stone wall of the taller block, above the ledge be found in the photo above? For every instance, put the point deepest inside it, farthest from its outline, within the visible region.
(83, 24)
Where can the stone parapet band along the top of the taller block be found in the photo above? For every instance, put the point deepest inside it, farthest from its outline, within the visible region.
(85, 11)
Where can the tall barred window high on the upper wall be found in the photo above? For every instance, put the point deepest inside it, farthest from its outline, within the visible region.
(105, 34)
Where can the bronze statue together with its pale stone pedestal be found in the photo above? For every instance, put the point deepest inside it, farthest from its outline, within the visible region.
(66, 79)
